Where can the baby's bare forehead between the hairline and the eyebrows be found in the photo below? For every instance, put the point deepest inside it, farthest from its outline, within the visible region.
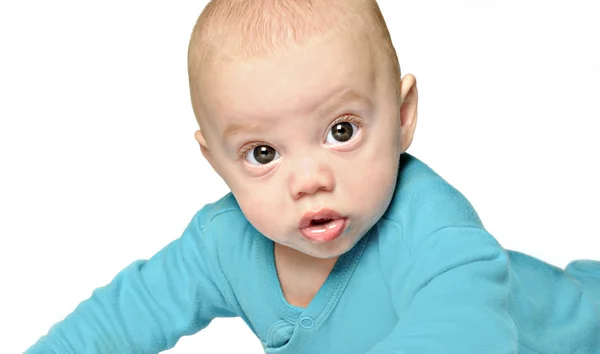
(293, 83)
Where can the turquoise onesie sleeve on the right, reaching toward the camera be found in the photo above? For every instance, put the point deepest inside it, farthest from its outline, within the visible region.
(452, 295)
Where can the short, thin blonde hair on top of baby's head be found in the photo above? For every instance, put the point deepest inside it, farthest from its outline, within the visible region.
(242, 29)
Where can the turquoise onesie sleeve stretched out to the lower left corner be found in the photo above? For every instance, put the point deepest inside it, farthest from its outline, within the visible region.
(150, 304)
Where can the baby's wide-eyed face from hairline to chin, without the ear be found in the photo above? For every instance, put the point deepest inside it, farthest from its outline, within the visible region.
(308, 142)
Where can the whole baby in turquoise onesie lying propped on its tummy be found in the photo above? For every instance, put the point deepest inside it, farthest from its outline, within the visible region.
(333, 238)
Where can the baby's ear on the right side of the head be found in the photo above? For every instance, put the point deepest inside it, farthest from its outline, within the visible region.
(409, 97)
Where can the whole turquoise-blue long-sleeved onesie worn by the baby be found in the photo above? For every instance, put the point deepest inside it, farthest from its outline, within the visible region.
(427, 278)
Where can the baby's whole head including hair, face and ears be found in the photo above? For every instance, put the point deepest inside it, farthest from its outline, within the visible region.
(303, 114)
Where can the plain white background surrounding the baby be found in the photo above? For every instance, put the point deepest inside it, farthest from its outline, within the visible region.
(98, 165)
